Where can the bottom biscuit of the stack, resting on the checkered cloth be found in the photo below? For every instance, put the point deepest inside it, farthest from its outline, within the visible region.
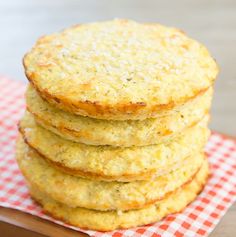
(111, 220)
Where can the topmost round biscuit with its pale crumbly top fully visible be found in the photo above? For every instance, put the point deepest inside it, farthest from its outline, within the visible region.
(119, 69)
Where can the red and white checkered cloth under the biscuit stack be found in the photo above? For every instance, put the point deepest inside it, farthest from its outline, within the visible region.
(198, 219)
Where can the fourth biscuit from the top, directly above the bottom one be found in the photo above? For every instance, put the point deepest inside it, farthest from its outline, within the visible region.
(99, 195)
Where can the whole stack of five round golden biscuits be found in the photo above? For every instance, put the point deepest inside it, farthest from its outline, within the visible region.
(116, 122)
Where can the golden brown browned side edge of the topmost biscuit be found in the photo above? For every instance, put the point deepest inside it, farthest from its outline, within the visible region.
(94, 109)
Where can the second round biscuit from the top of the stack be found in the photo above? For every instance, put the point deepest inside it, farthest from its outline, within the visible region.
(117, 133)
